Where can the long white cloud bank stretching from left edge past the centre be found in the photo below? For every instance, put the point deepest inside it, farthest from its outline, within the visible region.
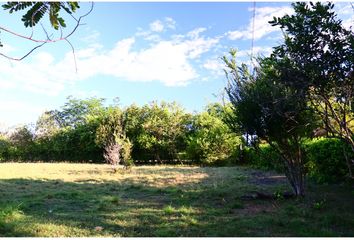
(167, 61)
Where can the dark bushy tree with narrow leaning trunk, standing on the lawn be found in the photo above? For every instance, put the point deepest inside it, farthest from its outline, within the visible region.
(273, 111)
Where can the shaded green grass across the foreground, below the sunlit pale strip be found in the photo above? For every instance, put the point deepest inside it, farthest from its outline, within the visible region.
(126, 208)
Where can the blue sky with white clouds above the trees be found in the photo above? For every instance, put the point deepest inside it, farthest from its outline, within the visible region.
(138, 52)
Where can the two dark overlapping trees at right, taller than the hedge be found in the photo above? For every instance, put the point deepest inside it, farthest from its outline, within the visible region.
(308, 77)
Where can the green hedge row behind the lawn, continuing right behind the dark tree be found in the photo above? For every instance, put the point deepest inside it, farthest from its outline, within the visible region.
(160, 133)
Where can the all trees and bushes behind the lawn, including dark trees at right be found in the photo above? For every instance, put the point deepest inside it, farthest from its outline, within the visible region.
(306, 83)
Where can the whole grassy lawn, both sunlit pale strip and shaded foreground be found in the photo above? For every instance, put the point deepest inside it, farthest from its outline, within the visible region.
(62, 200)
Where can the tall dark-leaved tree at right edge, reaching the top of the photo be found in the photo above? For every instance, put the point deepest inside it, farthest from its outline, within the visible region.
(319, 47)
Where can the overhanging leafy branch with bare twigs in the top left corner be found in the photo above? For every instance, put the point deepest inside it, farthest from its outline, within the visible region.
(35, 12)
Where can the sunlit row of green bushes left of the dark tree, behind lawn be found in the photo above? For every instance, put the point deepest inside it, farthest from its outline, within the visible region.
(156, 132)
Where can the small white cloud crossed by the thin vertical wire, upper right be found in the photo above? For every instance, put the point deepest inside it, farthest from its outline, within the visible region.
(261, 25)
